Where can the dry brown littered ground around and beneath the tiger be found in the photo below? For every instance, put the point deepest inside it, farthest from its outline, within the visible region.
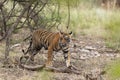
(88, 54)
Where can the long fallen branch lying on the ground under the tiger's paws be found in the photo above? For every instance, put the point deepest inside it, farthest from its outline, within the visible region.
(52, 69)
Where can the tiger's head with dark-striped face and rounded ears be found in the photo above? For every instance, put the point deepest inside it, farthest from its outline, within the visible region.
(64, 40)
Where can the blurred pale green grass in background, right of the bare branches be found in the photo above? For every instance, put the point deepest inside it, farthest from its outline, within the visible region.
(94, 21)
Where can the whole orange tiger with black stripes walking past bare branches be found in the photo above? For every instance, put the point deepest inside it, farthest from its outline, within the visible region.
(52, 42)
